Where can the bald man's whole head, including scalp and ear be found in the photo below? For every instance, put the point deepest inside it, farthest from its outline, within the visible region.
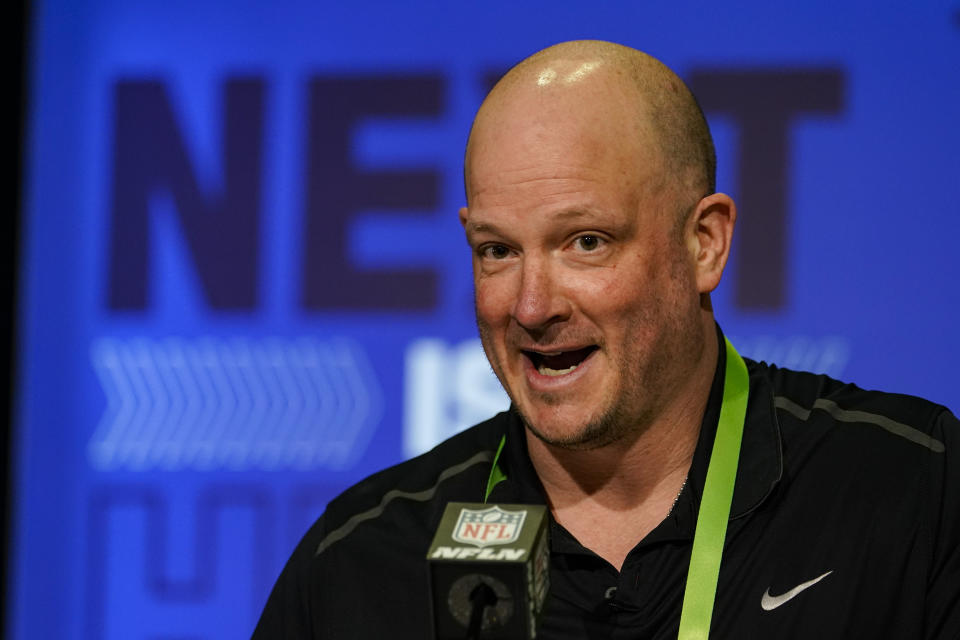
(595, 237)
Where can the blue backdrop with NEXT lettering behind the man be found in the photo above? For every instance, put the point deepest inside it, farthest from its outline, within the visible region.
(244, 285)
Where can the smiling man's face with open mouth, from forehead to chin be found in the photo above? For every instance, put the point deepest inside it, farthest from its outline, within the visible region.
(585, 296)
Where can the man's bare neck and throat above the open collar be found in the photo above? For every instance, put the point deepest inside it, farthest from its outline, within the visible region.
(613, 496)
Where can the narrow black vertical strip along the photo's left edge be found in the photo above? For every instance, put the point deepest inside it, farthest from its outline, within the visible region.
(19, 24)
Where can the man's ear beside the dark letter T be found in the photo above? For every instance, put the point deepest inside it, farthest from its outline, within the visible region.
(709, 234)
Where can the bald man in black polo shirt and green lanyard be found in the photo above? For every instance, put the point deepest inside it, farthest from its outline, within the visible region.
(597, 237)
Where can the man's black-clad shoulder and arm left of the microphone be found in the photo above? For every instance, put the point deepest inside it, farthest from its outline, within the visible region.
(377, 533)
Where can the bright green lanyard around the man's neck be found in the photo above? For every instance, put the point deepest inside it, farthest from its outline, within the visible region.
(708, 538)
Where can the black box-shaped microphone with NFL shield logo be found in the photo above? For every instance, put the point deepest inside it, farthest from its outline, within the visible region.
(489, 571)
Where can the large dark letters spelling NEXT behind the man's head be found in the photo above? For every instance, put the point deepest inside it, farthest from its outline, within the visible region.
(221, 226)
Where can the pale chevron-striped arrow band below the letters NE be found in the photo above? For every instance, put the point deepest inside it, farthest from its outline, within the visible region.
(239, 404)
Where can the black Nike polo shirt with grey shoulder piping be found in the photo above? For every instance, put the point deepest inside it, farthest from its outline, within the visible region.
(857, 488)
